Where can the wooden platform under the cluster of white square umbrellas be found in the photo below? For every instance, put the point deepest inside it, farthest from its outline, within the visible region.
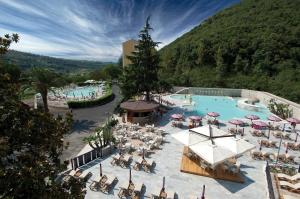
(191, 166)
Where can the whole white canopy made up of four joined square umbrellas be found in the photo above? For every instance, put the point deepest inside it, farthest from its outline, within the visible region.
(212, 144)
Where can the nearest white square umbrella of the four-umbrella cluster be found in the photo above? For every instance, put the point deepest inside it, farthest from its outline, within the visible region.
(211, 153)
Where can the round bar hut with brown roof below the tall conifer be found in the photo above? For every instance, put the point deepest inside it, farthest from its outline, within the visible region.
(139, 111)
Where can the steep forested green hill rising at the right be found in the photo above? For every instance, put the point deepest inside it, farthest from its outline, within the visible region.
(254, 44)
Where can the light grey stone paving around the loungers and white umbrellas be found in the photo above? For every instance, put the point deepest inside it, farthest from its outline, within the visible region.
(168, 163)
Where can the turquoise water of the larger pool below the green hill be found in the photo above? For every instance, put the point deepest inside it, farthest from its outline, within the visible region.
(225, 106)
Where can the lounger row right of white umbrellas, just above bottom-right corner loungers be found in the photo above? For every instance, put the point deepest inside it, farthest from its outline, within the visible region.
(286, 158)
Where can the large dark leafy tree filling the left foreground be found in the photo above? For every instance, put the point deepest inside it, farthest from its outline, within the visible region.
(30, 147)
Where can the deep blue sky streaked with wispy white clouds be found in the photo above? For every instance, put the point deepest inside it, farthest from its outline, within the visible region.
(95, 29)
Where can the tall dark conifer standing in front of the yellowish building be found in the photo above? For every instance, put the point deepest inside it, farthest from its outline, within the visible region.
(141, 76)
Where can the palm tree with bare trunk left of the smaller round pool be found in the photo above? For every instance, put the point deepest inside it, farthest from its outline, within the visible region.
(42, 79)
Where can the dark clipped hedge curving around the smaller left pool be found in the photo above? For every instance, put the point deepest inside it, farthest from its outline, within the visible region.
(100, 101)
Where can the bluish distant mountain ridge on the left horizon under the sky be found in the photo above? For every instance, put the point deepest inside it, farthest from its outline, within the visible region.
(27, 60)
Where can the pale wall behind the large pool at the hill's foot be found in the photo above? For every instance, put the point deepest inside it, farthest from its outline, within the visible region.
(263, 97)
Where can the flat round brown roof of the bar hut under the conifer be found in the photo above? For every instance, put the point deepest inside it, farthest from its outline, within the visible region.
(139, 106)
